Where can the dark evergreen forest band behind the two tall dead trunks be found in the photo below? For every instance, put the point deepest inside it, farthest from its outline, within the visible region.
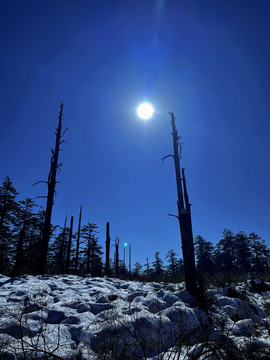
(78, 251)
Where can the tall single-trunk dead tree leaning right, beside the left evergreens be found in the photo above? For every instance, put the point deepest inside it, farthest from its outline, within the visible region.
(51, 182)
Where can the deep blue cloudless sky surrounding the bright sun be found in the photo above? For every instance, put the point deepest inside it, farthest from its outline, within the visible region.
(208, 61)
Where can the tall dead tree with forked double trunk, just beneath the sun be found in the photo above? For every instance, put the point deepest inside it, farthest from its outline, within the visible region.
(184, 214)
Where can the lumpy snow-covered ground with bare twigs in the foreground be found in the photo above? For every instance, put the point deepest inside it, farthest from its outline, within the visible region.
(69, 317)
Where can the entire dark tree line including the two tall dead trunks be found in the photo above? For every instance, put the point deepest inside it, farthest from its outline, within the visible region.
(30, 243)
